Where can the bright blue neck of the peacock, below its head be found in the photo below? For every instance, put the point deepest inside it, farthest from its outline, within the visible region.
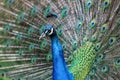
(60, 71)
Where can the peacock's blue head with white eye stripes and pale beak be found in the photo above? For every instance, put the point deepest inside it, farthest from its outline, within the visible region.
(48, 30)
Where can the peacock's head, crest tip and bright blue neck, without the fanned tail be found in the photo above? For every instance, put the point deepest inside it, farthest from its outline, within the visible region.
(60, 70)
